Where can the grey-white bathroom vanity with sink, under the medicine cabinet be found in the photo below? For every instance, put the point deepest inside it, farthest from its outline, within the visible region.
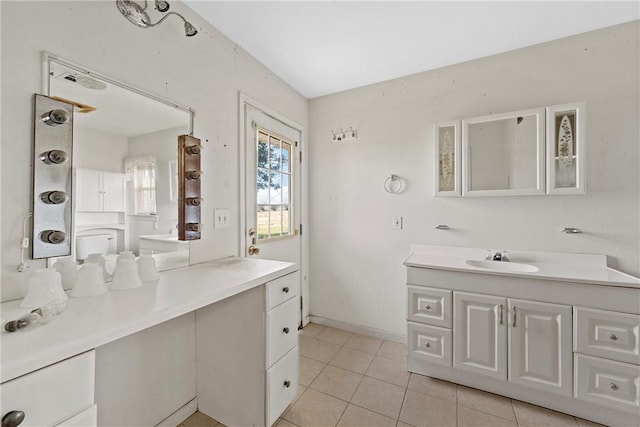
(556, 330)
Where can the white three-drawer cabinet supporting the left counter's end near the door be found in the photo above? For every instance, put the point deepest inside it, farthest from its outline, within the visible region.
(248, 364)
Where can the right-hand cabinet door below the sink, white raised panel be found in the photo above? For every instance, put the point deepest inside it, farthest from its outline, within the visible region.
(540, 345)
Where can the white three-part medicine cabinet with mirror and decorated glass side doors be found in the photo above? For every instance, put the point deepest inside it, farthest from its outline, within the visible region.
(529, 152)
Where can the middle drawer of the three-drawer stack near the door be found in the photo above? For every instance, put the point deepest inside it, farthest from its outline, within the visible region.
(282, 330)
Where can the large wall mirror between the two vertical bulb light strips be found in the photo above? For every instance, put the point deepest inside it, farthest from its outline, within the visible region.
(124, 154)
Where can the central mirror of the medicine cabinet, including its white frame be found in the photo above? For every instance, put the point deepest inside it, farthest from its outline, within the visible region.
(503, 154)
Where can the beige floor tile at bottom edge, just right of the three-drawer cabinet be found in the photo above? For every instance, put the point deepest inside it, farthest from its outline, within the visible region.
(315, 409)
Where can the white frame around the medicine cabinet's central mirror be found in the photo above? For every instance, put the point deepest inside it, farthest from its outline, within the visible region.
(539, 189)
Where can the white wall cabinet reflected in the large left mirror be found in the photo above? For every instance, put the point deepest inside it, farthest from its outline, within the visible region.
(99, 191)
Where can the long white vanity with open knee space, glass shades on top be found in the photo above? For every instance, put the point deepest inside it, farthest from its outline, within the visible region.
(244, 348)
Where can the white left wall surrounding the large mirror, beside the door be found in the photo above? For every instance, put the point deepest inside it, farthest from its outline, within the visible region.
(204, 72)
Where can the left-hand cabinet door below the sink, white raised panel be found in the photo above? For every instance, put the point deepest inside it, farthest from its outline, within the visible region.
(480, 335)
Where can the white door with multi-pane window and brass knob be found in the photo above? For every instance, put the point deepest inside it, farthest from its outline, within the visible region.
(272, 188)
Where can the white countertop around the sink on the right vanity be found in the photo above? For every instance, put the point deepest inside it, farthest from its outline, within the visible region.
(579, 268)
